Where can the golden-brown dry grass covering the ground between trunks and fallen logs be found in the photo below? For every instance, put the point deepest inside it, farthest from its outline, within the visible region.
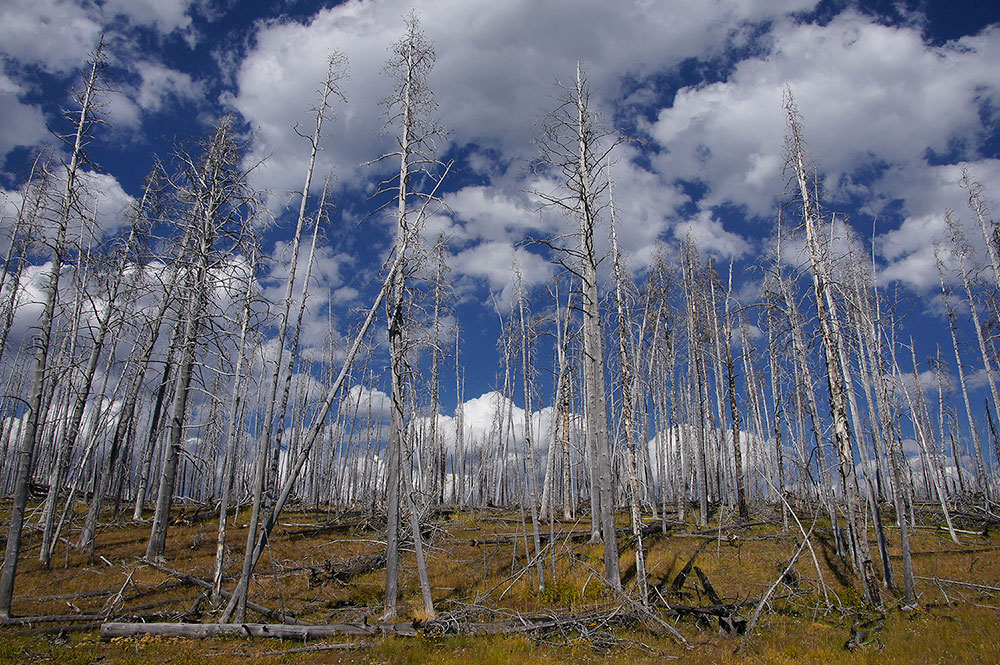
(953, 624)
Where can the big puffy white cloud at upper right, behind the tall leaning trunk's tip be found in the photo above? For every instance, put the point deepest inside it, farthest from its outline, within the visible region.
(876, 101)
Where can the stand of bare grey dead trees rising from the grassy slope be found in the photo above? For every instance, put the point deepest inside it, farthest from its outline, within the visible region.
(153, 367)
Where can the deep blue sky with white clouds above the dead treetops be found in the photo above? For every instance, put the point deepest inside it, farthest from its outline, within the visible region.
(895, 96)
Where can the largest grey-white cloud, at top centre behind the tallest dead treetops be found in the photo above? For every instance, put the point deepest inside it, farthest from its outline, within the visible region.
(496, 66)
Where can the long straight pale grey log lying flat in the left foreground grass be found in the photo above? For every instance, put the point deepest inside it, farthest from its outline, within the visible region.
(112, 630)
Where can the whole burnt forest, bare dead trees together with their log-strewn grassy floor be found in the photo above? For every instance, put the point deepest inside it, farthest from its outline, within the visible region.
(674, 465)
